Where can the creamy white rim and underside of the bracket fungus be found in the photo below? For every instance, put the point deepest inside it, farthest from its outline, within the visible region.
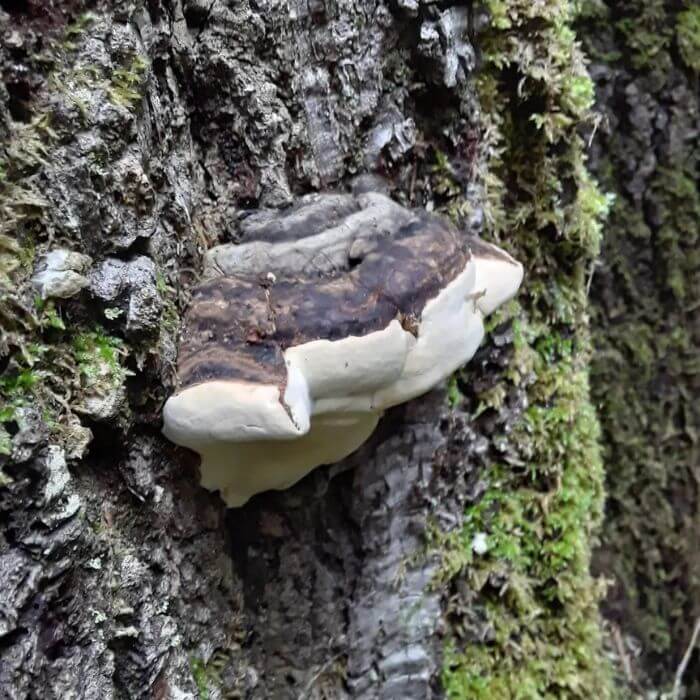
(252, 441)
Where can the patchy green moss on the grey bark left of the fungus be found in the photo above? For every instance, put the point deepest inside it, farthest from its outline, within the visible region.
(53, 361)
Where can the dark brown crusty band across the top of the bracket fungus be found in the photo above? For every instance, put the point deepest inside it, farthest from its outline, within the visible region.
(237, 327)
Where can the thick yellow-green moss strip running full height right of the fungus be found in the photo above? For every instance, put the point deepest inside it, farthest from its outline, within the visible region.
(525, 547)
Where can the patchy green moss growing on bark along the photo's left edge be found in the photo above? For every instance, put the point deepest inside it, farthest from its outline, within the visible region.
(53, 361)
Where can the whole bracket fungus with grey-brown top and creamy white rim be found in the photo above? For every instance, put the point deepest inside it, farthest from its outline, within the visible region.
(322, 317)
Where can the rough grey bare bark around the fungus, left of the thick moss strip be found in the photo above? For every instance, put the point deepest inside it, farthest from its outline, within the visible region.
(134, 134)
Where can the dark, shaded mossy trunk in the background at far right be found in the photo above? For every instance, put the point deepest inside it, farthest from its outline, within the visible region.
(646, 298)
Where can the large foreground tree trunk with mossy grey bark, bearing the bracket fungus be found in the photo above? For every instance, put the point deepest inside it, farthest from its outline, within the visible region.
(448, 556)
